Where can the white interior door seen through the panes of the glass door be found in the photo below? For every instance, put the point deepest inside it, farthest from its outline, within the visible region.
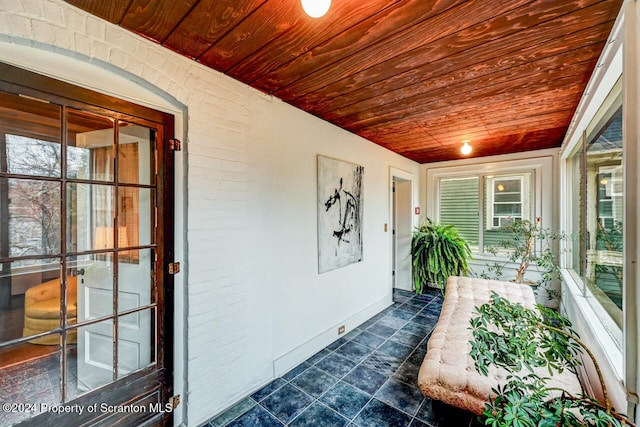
(112, 217)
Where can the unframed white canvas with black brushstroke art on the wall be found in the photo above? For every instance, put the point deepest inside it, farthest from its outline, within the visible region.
(340, 206)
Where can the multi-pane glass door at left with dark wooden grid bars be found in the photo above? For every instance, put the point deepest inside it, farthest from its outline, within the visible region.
(79, 304)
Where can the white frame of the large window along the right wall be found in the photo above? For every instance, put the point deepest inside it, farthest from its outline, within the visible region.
(618, 365)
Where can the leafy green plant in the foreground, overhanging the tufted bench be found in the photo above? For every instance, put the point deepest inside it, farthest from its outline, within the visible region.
(519, 339)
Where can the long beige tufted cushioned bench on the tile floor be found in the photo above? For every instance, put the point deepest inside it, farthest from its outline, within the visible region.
(447, 372)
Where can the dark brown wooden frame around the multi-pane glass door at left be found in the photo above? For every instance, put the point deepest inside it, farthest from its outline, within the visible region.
(133, 389)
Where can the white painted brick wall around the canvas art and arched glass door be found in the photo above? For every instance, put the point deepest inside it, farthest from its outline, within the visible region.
(251, 261)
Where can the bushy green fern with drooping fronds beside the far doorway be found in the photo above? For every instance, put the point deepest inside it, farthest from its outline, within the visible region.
(437, 252)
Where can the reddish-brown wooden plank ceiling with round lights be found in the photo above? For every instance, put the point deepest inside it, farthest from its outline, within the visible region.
(415, 76)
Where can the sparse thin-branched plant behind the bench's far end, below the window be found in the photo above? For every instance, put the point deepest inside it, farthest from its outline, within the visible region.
(527, 244)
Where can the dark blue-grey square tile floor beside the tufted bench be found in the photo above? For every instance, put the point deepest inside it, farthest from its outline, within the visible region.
(368, 378)
